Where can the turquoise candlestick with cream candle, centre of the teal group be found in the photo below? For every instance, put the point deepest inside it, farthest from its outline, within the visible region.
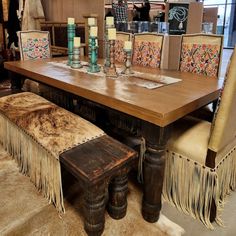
(93, 66)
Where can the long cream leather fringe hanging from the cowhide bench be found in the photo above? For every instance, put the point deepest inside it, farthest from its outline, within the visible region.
(33, 160)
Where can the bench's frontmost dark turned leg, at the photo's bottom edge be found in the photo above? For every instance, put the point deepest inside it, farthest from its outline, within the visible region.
(94, 210)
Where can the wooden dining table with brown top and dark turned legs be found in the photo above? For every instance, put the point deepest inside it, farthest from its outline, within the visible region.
(157, 109)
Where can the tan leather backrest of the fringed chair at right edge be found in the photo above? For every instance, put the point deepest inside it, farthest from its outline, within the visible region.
(224, 123)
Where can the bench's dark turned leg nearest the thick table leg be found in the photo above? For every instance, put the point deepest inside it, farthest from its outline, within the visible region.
(118, 189)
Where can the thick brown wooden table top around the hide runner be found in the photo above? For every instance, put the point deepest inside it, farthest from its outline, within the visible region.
(160, 106)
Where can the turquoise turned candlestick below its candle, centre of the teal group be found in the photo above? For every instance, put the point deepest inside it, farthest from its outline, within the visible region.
(93, 66)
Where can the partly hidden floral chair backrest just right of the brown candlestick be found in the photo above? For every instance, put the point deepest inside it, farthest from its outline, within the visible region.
(121, 37)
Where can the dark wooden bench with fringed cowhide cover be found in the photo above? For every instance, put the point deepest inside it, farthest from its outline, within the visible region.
(40, 135)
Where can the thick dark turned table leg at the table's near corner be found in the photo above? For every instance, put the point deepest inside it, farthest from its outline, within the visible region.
(153, 169)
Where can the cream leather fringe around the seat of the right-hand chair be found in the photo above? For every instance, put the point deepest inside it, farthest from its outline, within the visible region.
(191, 187)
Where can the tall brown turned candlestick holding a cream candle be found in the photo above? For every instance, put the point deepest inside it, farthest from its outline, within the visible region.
(111, 70)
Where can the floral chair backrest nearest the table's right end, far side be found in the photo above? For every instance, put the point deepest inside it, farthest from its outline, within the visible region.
(201, 54)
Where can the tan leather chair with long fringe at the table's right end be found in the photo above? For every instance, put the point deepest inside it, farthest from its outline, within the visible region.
(201, 158)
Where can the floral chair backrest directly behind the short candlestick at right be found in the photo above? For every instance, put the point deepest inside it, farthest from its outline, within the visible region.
(147, 49)
